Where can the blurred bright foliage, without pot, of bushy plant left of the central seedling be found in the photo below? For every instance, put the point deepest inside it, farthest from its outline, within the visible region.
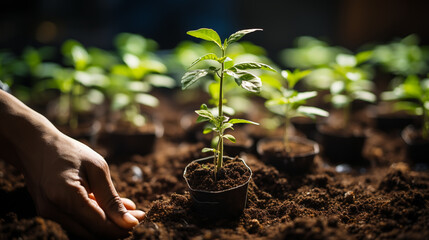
(131, 81)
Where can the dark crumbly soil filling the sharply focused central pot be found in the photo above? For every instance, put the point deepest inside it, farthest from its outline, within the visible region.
(201, 176)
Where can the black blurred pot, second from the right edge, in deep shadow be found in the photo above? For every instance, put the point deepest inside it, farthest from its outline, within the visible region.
(341, 148)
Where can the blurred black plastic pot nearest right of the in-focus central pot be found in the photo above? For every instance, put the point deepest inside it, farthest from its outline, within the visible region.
(299, 163)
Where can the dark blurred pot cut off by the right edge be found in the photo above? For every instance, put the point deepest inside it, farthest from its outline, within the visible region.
(417, 147)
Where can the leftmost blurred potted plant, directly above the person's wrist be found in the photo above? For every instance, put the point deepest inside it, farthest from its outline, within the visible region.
(75, 111)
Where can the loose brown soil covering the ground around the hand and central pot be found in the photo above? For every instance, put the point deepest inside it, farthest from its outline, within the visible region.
(387, 200)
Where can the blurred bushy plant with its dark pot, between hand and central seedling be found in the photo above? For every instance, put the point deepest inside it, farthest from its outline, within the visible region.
(132, 127)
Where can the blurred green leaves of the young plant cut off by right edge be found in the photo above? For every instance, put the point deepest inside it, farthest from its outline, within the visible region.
(412, 96)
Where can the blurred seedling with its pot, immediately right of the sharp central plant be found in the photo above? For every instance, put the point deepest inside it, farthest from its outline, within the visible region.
(291, 154)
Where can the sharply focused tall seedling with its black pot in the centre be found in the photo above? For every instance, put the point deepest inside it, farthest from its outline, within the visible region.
(218, 184)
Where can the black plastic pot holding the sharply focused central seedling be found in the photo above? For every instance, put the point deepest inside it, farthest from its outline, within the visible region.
(228, 203)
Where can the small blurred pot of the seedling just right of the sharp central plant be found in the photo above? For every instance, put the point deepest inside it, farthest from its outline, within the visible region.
(294, 163)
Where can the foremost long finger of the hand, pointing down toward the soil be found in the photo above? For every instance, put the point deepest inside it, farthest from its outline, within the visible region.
(101, 185)
